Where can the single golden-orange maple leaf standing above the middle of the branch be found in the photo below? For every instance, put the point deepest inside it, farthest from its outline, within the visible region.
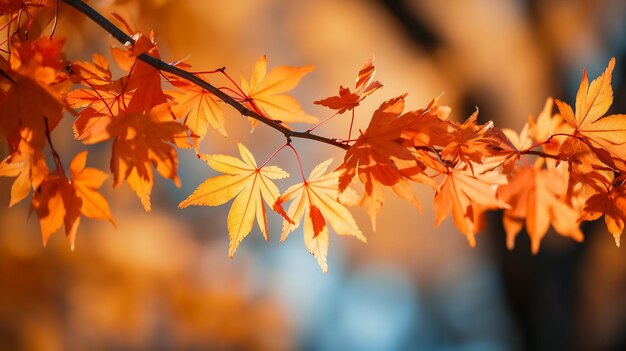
(265, 92)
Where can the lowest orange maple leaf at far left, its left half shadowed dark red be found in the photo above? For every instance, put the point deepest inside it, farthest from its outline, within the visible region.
(60, 200)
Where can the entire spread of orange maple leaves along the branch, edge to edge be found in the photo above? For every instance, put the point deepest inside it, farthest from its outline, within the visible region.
(563, 167)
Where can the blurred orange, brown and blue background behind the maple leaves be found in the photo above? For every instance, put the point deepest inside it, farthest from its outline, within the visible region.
(163, 280)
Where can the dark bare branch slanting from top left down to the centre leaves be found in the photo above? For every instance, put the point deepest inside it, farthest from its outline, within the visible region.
(164, 66)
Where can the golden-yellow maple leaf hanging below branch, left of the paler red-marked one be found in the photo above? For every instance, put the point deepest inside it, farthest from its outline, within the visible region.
(244, 181)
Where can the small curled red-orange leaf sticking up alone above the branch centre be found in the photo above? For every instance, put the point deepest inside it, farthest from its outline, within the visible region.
(364, 86)
